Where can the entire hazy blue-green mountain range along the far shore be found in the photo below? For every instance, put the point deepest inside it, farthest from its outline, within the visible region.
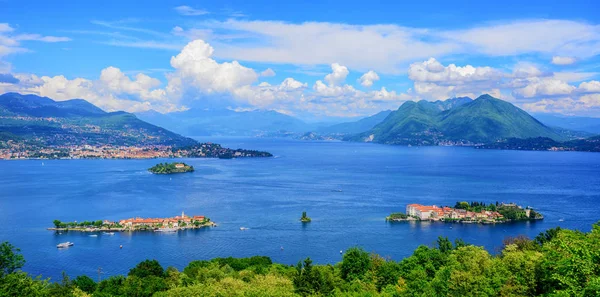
(456, 121)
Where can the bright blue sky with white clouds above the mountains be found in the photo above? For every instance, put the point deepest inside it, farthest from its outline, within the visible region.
(311, 59)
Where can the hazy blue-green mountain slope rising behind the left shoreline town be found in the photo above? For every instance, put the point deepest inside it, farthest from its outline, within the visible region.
(72, 122)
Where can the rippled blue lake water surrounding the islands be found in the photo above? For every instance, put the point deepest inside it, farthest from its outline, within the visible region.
(347, 189)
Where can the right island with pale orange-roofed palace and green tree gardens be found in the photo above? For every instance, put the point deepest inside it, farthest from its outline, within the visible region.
(465, 212)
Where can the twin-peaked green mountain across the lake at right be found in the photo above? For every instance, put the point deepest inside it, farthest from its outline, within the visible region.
(485, 119)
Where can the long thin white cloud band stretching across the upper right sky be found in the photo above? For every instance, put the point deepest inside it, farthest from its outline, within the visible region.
(387, 48)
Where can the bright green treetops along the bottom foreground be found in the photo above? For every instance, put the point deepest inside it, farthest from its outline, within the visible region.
(557, 263)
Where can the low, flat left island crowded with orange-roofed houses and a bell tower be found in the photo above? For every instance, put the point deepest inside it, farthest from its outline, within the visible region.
(171, 224)
